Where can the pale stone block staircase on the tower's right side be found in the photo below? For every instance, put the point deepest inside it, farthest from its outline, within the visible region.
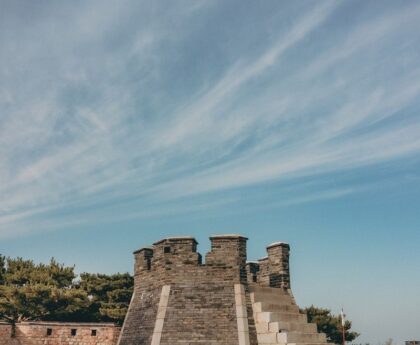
(278, 320)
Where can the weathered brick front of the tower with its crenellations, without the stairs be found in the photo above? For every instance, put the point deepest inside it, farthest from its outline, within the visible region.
(201, 305)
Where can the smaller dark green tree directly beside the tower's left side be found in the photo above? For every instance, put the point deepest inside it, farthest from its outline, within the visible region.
(110, 295)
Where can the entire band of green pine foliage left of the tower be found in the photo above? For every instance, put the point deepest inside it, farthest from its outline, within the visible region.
(30, 291)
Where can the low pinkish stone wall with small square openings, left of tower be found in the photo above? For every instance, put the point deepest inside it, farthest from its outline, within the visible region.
(58, 333)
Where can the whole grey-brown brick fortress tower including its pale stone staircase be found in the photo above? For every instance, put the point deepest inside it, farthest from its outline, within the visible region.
(226, 301)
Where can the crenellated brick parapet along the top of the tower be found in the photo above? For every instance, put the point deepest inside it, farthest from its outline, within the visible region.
(170, 259)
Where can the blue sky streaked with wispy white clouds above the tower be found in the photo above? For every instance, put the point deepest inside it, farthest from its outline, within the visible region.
(124, 122)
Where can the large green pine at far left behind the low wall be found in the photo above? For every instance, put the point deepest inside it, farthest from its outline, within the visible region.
(30, 291)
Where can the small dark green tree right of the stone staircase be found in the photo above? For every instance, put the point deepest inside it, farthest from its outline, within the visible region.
(330, 324)
